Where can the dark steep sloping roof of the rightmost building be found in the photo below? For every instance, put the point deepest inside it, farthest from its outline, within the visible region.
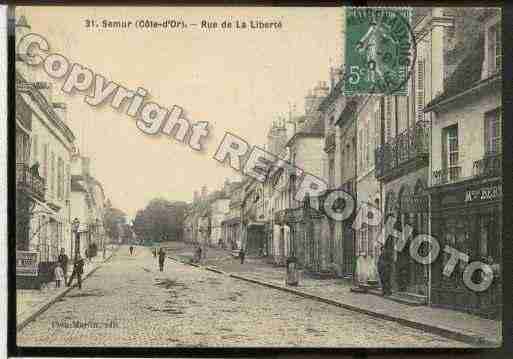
(466, 75)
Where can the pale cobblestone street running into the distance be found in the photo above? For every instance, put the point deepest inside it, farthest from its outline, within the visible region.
(128, 302)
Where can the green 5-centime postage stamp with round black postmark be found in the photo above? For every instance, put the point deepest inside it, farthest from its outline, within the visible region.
(380, 51)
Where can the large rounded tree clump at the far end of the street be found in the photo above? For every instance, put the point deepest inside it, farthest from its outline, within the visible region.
(160, 220)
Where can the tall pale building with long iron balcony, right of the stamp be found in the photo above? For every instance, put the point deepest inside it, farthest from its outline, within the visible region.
(402, 157)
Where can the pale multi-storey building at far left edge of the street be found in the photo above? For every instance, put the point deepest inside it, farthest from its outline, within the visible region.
(44, 146)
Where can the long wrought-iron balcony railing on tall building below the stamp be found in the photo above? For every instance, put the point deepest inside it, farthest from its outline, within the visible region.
(411, 144)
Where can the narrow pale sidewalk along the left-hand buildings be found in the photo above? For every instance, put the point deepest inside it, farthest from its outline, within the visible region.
(31, 302)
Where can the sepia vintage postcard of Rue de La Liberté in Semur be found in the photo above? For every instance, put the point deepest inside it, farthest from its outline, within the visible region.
(258, 177)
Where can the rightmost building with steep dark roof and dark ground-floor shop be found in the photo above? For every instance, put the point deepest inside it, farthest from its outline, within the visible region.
(465, 179)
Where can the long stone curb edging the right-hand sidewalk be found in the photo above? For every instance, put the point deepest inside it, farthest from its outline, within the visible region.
(444, 332)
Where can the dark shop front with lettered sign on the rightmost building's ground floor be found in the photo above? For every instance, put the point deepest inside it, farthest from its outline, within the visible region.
(467, 216)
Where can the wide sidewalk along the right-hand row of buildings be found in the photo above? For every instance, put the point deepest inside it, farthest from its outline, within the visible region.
(449, 323)
